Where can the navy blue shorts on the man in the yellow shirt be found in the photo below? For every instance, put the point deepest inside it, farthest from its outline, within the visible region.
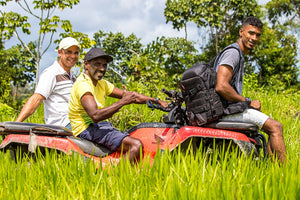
(104, 133)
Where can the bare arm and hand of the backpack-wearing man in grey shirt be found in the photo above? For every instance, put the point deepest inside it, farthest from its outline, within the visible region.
(224, 88)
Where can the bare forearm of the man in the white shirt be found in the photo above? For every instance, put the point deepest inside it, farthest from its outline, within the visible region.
(30, 106)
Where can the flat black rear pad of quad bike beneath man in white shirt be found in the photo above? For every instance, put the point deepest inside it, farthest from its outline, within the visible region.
(39, 129)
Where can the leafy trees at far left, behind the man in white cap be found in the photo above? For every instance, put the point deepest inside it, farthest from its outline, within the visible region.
(21, 62)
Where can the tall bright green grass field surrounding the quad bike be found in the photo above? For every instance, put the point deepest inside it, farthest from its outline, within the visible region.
(173, 176)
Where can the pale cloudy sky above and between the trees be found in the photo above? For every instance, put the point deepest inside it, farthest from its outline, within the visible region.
(144, 18)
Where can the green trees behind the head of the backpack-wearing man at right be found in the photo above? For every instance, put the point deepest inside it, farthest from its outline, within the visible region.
(273, 60)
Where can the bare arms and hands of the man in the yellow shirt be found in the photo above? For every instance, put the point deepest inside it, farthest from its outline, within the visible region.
(126, 97)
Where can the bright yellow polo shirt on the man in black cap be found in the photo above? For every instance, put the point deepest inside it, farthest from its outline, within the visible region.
(78, 117)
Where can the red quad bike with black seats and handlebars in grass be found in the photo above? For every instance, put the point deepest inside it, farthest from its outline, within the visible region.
(156, 136)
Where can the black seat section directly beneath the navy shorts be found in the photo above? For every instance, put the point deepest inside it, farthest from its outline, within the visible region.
(90, 148)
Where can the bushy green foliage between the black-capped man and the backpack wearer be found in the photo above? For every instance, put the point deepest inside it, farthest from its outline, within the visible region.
(146, 69)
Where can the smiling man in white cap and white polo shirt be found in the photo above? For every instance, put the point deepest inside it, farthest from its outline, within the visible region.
(54, 86)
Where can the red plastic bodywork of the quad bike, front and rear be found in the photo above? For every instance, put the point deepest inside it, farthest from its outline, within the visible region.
(153, 139)
